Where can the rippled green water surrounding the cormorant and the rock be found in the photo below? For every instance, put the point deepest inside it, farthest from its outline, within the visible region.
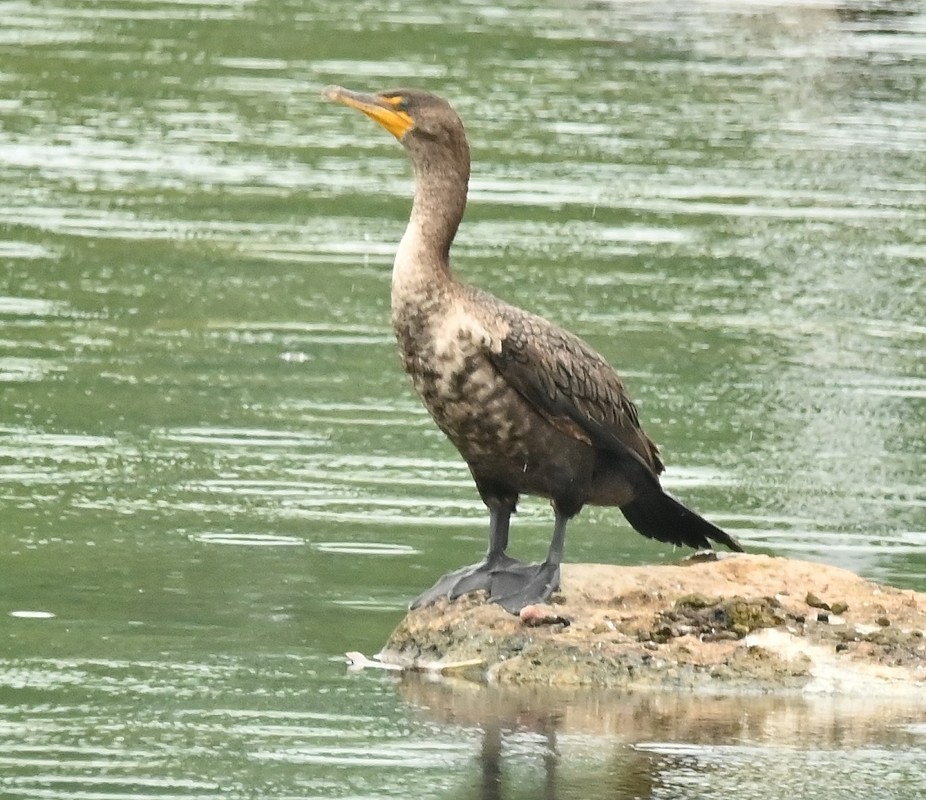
(214, 479)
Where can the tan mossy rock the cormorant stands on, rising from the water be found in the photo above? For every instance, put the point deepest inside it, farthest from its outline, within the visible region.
(741, 622)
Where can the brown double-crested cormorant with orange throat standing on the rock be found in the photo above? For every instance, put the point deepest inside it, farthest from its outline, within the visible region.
(531, 408)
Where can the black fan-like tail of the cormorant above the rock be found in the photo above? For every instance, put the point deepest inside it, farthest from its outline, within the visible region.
(658, 515)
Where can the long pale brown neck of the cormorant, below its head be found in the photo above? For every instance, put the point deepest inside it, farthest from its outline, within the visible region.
(422, 263)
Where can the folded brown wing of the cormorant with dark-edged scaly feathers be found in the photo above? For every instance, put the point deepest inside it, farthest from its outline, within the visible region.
(570, 385)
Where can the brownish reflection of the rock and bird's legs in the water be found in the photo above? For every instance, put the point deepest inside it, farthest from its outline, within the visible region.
(556, 745)
